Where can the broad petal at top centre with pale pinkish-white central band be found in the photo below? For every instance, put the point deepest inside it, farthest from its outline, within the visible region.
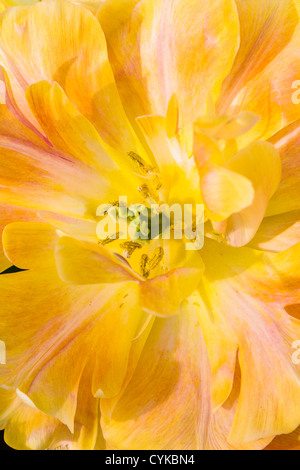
(162, 47)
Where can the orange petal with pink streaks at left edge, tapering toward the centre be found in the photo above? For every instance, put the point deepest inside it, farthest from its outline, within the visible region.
(36, 176)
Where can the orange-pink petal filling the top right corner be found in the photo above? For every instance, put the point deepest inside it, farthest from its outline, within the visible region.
(266, 65)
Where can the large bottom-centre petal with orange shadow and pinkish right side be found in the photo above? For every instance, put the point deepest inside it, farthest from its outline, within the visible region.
(168, 397)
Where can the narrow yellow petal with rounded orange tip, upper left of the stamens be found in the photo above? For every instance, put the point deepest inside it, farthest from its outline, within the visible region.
(73, 135)
